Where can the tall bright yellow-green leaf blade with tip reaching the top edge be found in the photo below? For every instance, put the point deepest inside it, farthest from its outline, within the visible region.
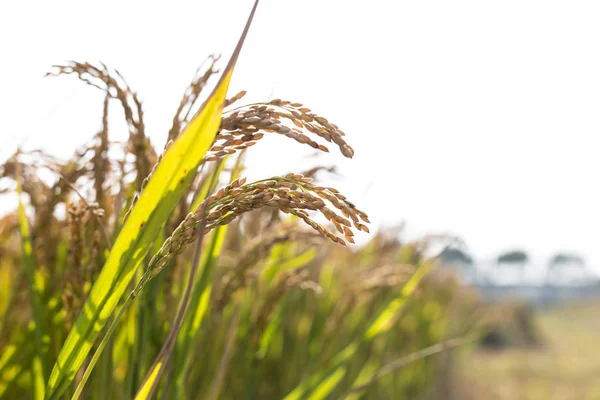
(171, 178)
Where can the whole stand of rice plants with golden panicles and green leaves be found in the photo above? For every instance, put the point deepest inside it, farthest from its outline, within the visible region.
(144, 273)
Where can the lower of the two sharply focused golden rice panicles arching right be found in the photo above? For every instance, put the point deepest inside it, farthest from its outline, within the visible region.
(292, 194)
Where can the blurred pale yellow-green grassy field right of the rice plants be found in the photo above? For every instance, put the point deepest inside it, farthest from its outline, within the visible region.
(564, 364)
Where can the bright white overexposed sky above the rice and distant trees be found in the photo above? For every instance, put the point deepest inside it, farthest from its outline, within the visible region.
(473, 117)
